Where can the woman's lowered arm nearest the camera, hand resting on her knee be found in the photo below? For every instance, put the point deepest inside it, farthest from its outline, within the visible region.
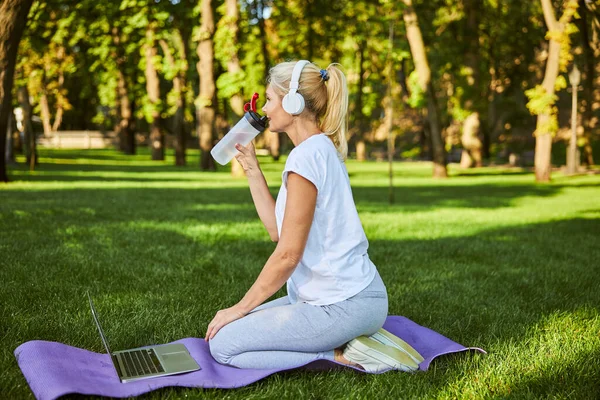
(299, 213)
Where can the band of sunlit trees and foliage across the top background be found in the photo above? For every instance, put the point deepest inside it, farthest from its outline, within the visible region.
(146, 68)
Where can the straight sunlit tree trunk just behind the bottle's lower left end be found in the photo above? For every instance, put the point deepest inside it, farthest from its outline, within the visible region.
(206, 102)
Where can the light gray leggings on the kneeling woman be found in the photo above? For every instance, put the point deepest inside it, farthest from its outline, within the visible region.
(281, 335)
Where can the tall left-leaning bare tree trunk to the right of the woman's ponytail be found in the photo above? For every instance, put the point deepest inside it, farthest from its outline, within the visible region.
(417, 48)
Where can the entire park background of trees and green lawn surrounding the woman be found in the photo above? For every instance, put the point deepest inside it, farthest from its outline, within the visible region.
(503, 254)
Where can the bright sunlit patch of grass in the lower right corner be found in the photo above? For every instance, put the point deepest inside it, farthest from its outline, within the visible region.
(559, 345)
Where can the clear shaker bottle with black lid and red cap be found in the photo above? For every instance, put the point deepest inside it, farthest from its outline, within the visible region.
(250, 125)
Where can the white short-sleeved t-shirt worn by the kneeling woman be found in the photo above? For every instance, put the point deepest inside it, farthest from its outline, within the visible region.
(335, 265)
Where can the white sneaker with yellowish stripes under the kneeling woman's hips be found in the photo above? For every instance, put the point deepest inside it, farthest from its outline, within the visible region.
(376, 357)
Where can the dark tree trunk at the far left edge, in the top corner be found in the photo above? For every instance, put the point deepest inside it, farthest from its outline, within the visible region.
(13, 18)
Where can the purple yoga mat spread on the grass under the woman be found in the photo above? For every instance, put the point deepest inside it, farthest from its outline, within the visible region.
(54, 369)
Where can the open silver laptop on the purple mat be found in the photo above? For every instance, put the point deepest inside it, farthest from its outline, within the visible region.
(150, 361)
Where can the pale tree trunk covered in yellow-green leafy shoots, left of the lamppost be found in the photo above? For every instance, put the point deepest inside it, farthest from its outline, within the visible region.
(542, 98)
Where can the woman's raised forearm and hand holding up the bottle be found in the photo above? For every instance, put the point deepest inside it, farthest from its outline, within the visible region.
(263, 200)
